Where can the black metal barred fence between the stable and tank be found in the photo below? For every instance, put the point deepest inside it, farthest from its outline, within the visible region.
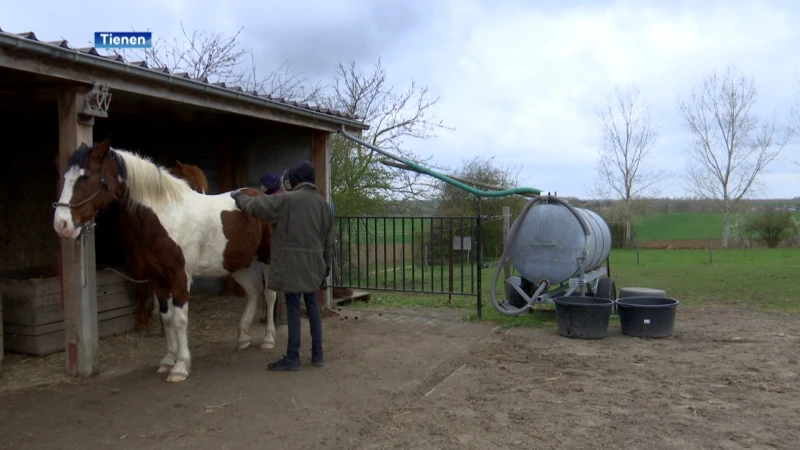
(433, 255)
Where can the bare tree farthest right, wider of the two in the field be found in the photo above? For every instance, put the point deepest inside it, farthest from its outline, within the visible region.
(731, 146)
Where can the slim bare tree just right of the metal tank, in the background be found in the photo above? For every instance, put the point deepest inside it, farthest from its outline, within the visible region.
(628, 139)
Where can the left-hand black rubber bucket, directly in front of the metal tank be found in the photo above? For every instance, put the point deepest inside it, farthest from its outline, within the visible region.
(583, 317)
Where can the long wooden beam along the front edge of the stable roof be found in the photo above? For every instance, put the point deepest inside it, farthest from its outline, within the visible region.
(73, 72)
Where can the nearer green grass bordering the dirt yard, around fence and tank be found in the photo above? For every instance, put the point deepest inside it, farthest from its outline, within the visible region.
(761, 279)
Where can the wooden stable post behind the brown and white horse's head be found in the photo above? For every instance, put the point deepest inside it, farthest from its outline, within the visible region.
(78, 271)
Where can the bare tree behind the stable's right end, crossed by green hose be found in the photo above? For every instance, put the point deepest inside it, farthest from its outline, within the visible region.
(359, 181)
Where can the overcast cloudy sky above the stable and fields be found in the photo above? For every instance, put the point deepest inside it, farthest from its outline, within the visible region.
(517, 79)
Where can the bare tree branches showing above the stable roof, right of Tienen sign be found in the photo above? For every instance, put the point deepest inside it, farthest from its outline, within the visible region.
(221, 59)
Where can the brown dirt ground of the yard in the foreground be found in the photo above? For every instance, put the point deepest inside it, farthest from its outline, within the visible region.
(727, 379)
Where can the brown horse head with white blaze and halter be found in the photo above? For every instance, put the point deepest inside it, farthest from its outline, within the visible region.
(92, 181)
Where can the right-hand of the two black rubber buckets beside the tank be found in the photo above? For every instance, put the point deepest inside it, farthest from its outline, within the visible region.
(651, 317)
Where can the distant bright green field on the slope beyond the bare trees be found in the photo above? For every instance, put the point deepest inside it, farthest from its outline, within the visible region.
(673, 226)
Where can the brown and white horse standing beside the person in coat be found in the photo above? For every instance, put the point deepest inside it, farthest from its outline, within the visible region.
(183, 234)
